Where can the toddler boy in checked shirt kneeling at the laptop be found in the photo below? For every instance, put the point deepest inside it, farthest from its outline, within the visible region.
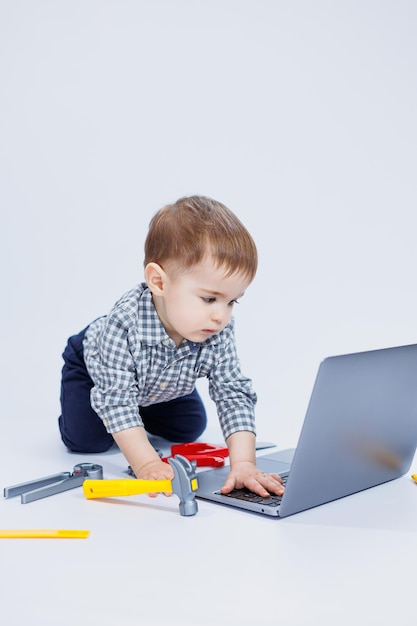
(134, 371)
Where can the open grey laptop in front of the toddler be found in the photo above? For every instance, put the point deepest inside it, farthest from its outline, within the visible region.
(360, 430)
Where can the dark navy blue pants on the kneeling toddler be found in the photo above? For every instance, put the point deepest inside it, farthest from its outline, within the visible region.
(179, 420)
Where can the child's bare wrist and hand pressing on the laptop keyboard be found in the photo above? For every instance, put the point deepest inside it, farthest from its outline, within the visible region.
(243, 470)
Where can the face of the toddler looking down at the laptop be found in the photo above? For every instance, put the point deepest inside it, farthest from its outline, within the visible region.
(199, 303)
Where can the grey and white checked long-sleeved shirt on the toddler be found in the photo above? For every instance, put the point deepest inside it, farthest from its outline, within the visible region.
(133, 362)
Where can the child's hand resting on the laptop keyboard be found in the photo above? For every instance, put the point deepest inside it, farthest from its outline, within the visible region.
(246, 474)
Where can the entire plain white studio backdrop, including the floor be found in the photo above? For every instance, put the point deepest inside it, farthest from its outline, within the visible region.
(300, 115)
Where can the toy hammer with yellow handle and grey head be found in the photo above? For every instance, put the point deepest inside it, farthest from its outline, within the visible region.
(184, 485)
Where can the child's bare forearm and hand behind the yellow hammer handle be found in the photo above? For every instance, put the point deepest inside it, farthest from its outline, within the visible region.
(141, 456)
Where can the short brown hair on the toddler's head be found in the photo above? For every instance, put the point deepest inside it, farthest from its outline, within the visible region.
(181, 234)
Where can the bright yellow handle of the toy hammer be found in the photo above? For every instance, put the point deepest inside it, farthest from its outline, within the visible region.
(124, 487)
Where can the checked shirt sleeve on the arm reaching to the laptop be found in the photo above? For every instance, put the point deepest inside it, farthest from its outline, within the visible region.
(231, 391)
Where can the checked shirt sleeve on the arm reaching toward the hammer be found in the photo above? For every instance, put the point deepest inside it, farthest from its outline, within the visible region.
(109, 360)
